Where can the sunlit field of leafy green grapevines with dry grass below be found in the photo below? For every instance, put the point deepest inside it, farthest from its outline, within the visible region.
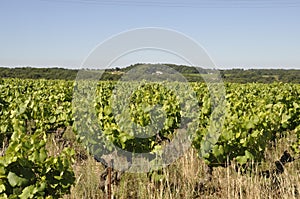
(54, 132)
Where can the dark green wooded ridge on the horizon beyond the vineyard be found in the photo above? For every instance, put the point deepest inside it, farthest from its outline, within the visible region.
(193, 74)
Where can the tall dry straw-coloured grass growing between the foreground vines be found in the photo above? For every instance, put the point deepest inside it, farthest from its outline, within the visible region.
(181, 179)
